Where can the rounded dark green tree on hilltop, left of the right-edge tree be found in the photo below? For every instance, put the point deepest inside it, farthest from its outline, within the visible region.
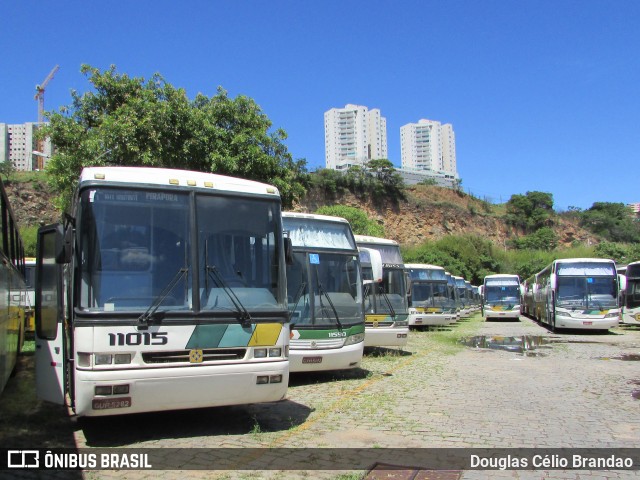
(530, 211)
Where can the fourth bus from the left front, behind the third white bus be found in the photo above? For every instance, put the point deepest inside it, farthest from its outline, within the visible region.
(429, 299)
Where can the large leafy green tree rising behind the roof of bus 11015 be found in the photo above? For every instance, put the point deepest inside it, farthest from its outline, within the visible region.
(130, 121)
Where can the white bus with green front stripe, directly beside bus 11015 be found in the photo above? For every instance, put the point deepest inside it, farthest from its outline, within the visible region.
(324, 288)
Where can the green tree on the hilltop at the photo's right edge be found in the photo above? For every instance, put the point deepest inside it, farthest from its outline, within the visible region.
(613, 221)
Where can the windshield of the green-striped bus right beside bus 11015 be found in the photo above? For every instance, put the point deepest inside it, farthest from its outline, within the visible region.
(324, 289)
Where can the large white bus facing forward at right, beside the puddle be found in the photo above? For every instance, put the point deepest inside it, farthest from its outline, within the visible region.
(578, 293)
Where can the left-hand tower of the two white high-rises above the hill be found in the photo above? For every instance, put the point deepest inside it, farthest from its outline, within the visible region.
(353, 135)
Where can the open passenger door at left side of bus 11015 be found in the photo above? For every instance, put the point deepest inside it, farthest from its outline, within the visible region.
(49, 335)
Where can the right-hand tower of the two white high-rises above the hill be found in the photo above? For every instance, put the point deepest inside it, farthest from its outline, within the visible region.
(428, 145)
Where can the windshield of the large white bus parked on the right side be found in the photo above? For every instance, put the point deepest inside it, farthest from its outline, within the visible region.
(586, 292)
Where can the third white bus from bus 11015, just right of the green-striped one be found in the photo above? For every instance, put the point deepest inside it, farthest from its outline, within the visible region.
(385, 299)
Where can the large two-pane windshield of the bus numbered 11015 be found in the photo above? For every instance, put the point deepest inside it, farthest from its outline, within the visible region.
(135, 249)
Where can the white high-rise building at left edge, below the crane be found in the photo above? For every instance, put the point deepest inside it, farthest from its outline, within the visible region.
(19, 146)
